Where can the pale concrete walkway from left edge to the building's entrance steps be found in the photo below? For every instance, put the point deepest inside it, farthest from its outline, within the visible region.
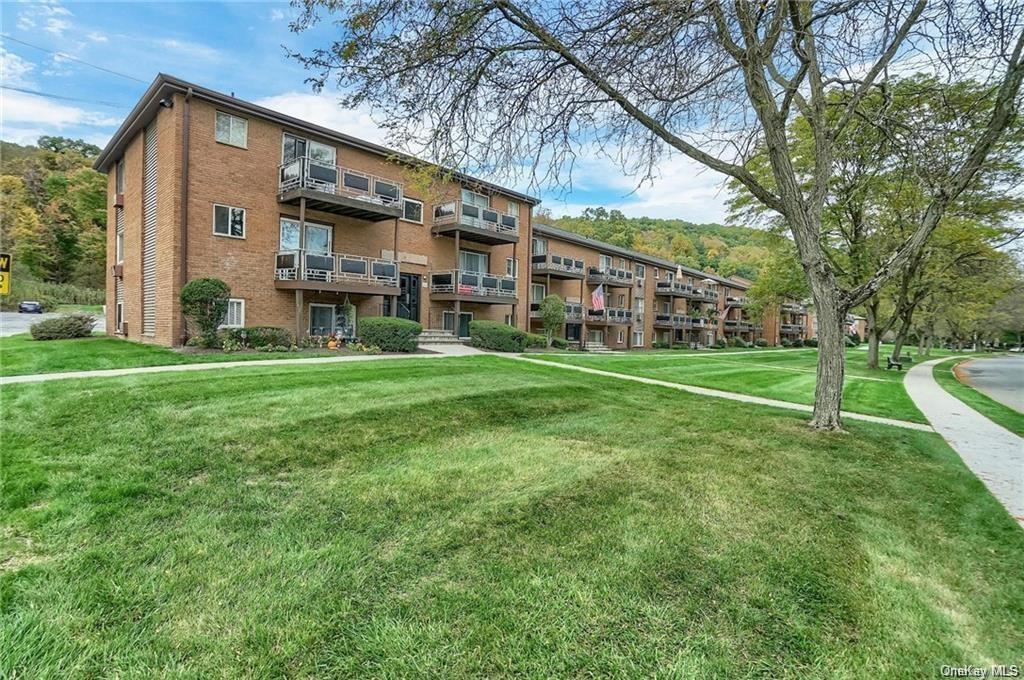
(442, 351)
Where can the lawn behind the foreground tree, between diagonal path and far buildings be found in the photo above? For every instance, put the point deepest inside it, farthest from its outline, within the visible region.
(789, 376)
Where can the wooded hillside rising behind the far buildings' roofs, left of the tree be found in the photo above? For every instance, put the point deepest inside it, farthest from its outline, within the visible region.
(716, 248)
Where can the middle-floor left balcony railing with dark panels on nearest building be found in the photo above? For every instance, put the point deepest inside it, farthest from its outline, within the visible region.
(334, 268)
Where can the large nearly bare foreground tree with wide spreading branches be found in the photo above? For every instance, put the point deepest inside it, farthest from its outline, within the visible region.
(531, 86)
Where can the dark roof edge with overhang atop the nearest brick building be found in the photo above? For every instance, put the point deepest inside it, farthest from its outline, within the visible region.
(165, 86)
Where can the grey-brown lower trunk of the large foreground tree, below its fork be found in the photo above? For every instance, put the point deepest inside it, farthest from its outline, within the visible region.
(832, 357)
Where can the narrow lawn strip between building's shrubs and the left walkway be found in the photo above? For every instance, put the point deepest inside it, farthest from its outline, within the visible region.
(20, 355)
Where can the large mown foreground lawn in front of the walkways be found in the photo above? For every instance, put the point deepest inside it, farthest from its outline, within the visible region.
(480, 517)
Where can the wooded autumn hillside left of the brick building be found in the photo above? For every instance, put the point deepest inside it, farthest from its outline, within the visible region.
(54, 220)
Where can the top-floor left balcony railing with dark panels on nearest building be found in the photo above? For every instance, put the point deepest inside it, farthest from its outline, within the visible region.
(310, 174)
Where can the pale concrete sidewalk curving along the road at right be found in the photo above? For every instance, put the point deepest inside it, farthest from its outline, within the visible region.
(993, 453)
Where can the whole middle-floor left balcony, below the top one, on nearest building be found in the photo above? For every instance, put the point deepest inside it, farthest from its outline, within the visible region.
(301, 270)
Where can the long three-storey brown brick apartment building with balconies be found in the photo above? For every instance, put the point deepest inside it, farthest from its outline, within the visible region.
(314, 230)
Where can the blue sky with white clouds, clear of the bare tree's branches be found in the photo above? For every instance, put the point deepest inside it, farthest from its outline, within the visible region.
(237, 48)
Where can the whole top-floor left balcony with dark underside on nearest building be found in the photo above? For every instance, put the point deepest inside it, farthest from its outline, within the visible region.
(331, 189)
